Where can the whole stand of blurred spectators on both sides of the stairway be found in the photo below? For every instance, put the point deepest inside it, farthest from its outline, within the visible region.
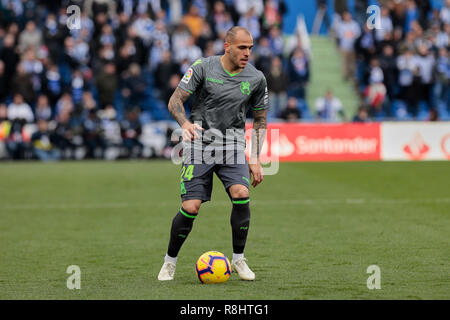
(100, 90)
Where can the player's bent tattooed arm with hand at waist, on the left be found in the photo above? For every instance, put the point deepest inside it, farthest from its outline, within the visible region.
(177, 111)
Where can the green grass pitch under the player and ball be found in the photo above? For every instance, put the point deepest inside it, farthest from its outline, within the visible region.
(315, 229)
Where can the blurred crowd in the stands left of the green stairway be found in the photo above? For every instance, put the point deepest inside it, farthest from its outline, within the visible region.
(74, 91)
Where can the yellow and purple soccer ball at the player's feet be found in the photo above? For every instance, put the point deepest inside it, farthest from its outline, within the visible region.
(213, 267)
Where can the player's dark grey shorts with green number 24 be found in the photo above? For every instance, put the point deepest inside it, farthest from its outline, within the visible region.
(196, 177)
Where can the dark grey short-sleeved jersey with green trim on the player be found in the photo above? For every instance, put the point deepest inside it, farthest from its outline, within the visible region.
(222, 99)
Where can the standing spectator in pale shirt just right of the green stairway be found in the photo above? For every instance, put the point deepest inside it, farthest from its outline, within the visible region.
(348, 32)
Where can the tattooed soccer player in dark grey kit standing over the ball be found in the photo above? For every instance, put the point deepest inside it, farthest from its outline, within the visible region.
(224, 88)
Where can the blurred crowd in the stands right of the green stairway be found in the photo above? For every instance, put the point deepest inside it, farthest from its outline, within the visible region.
(399, 63)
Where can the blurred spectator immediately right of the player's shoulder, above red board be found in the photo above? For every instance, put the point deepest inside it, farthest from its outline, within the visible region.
(277, 85)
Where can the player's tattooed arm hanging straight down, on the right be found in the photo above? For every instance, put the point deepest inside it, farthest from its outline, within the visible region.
(258, 137)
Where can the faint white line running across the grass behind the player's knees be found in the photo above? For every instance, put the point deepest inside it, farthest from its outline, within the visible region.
(213, 203)
